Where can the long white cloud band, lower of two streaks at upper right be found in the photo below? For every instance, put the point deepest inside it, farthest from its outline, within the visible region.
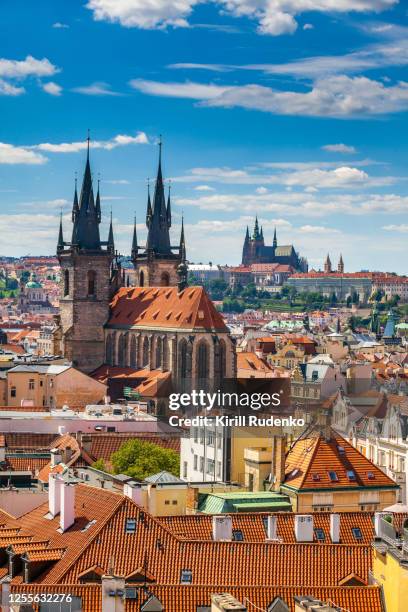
(337, 96)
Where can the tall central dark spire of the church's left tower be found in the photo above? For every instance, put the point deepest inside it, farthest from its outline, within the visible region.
(85, 234)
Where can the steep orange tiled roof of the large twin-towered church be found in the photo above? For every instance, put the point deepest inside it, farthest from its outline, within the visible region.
(158, 307)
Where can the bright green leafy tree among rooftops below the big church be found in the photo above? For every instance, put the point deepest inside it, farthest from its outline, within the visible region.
(141, 459)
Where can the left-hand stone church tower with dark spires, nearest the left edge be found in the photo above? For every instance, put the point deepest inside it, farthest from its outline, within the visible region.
(90, 275)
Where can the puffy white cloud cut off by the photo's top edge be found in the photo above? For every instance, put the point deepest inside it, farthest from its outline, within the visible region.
(274, 17)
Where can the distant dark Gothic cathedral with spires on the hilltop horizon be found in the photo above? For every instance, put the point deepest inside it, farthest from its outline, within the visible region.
(256, 252)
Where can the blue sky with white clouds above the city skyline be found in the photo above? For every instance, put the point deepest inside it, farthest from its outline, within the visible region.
(265, 108)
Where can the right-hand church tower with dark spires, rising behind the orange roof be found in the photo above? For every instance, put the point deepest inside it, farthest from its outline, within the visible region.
(157, 264)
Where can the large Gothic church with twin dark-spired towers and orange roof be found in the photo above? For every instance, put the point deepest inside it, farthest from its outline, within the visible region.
(160, 326)
